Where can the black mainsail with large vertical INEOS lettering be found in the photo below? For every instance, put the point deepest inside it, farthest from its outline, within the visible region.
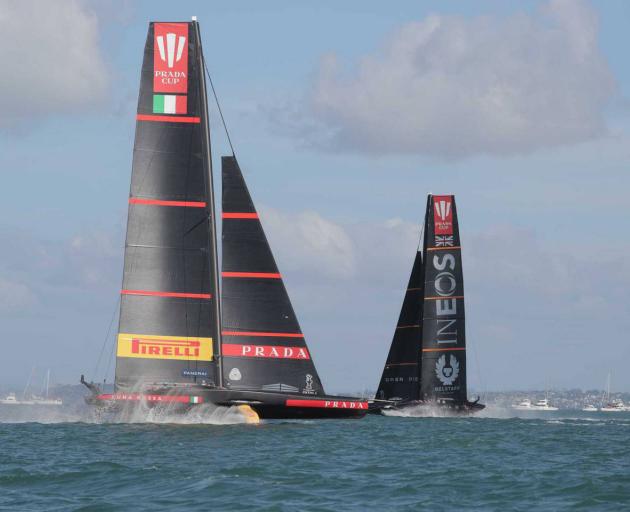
(443, 373)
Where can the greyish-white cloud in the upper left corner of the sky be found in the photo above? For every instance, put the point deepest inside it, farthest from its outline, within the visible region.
(50, 58)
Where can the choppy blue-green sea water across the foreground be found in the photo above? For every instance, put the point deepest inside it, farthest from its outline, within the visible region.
(547, 461)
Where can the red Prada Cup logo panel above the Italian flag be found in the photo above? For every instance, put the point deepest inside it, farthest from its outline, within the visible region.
(170, 57)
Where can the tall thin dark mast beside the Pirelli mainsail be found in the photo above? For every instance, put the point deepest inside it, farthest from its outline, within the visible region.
(214, 261)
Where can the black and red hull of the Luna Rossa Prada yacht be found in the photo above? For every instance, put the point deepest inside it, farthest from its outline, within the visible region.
(267, 405)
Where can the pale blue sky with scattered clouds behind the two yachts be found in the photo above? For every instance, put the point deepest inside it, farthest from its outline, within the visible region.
(344, 116)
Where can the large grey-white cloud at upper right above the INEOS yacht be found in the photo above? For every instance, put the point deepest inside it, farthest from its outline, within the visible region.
(452, 86)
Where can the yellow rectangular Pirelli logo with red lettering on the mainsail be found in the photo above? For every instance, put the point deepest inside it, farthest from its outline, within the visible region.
(147, 346)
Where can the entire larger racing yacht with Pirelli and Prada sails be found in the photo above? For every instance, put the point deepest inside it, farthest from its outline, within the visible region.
(184, 340)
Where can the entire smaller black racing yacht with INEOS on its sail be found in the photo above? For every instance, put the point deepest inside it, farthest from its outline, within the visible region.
(426, 363)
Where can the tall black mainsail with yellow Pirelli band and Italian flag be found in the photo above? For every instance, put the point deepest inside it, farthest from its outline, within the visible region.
(168, 313)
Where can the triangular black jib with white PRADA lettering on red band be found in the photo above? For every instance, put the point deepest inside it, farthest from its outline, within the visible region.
(263, 346)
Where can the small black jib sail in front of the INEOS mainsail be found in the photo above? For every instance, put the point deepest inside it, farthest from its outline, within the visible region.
(401, 373)
